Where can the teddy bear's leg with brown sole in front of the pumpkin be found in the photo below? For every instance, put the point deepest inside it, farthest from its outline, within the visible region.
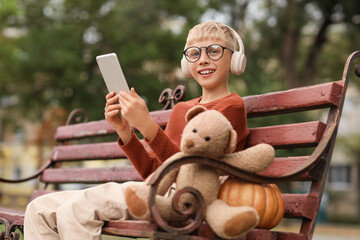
(232, 222)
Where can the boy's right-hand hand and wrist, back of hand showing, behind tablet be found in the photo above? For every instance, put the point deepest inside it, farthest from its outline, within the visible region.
(134, 110)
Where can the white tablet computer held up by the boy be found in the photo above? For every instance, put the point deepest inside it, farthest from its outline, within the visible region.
(111, 71)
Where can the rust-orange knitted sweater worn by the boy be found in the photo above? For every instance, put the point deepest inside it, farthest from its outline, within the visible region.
(167, 142)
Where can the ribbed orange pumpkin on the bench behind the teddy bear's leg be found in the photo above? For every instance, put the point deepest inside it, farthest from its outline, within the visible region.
(265, 198)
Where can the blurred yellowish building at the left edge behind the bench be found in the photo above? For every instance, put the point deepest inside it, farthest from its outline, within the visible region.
(22, 151)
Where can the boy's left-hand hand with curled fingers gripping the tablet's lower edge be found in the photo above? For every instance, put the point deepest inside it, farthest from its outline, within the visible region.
(112, 110)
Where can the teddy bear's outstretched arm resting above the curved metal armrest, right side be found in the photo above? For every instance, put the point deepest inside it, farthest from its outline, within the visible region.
(254, 159)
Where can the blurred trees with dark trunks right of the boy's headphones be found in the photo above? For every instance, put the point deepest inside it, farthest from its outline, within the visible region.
(294, 43)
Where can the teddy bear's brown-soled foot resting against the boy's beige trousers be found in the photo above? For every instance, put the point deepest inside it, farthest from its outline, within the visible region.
(136, 197)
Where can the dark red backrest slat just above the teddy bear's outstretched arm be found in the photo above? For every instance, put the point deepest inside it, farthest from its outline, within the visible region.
(306, 134)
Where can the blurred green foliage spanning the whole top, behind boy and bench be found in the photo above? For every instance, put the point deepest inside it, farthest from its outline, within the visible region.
(48, 48)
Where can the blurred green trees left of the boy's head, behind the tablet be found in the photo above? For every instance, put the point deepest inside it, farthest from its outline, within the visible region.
(56, 54)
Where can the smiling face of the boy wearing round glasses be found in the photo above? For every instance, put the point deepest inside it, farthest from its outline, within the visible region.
(211, 74)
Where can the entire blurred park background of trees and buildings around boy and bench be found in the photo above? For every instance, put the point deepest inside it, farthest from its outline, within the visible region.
(48, 68)
